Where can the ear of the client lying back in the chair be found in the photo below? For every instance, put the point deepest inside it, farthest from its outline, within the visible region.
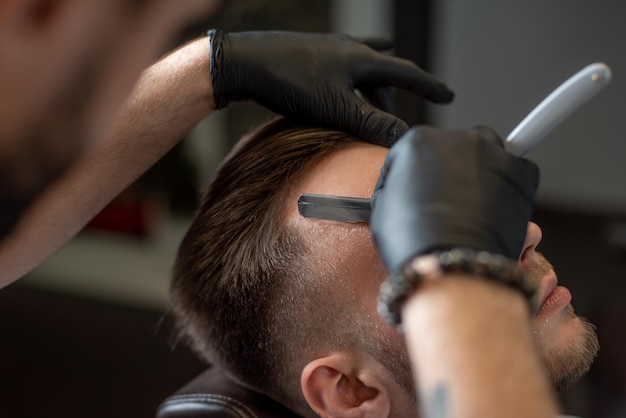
(344, 385)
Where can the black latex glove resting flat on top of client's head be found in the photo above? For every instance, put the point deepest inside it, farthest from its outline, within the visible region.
(312, 78)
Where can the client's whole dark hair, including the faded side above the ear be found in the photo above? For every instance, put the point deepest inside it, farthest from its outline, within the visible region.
(250, 292)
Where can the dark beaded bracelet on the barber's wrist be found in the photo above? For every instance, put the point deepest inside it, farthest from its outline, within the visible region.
(440, 265)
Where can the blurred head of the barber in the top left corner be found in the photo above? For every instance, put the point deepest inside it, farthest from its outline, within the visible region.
(65, 67)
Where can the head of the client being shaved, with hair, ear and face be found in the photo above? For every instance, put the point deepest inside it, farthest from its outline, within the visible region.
(286, 304)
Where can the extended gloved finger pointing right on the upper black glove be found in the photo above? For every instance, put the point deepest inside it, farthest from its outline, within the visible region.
(398, 72)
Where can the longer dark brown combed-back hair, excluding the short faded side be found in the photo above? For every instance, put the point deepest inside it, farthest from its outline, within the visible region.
(238, 251)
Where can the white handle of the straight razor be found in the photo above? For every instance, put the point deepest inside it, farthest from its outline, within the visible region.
(561, 103)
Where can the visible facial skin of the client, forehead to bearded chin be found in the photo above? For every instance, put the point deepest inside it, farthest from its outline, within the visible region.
(568, 344)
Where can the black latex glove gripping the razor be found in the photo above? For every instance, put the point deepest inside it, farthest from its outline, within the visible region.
(438, 190)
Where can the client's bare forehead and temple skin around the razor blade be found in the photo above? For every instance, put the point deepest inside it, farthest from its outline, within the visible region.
(346, 247)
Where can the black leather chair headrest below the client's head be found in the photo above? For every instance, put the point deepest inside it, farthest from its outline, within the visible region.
(213, 395)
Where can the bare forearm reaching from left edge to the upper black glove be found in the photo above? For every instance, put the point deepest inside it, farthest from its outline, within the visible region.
(168, 100)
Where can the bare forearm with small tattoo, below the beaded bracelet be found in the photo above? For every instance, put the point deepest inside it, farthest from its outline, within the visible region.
(471, 343)
